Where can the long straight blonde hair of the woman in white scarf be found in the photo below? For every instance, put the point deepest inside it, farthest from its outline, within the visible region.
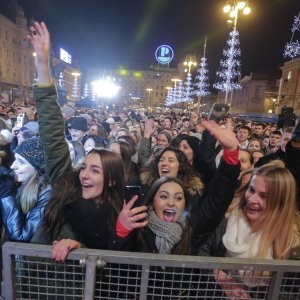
(280, 222)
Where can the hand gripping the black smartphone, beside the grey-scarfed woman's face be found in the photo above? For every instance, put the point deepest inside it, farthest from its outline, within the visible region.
(132, 218)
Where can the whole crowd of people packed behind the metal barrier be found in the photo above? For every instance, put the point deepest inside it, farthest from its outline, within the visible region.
(207, 187)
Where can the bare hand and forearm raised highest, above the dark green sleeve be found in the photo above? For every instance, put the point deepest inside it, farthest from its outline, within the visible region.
(40, 40)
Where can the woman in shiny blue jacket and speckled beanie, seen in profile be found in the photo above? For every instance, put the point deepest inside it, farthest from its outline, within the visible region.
(22, 211)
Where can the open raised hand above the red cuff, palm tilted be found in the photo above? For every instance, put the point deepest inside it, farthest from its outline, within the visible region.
(226, 137)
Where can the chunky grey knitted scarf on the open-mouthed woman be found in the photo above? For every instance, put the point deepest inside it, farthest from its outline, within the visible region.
(167, 234)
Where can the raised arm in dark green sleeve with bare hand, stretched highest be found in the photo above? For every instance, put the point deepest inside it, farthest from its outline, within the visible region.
(50, 118)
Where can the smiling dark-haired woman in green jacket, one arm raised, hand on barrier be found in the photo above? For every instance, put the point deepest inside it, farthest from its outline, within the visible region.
(84, 206)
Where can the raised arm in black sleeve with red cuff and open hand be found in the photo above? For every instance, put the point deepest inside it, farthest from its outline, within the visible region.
(214, 206)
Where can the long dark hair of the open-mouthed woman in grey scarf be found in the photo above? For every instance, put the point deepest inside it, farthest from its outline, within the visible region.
(183, 246)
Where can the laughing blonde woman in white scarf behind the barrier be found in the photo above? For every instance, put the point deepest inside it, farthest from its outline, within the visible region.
(265, 225)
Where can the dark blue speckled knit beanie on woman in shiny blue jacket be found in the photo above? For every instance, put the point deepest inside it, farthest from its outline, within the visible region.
(33, 151)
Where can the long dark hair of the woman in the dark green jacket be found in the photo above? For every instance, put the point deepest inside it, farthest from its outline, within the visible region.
(67, 189)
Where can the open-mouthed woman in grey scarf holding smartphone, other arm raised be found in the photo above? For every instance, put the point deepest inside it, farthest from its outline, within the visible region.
(172, 228)
